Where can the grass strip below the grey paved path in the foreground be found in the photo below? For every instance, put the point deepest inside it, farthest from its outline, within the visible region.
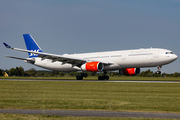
(47, 117)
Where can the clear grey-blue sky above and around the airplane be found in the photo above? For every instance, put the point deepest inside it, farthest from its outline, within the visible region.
(80, 26)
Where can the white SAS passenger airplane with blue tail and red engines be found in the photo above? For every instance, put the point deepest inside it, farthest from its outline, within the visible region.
(127, 62)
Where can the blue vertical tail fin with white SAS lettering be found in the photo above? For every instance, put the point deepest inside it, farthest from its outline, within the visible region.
(31, 45)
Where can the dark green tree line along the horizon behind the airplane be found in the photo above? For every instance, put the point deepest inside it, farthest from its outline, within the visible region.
(19, 71)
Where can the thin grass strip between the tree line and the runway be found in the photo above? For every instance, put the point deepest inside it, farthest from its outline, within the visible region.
(96, 78)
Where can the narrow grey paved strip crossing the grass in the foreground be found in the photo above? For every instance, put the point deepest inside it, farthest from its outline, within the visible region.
(84, 113)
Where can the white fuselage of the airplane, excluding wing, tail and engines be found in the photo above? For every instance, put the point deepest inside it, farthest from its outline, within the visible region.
(137, 58)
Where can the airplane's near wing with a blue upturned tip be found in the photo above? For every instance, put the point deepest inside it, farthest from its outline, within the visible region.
(62, 58)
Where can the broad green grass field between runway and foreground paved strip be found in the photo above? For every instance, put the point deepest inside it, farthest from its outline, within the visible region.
(146, 97)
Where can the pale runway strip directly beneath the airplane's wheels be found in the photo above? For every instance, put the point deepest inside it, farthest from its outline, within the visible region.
(135, 81)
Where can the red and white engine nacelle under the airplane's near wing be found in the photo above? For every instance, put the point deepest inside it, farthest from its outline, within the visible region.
(93, 66)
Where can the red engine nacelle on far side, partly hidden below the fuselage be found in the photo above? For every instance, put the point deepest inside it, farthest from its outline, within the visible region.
(130, 71)
